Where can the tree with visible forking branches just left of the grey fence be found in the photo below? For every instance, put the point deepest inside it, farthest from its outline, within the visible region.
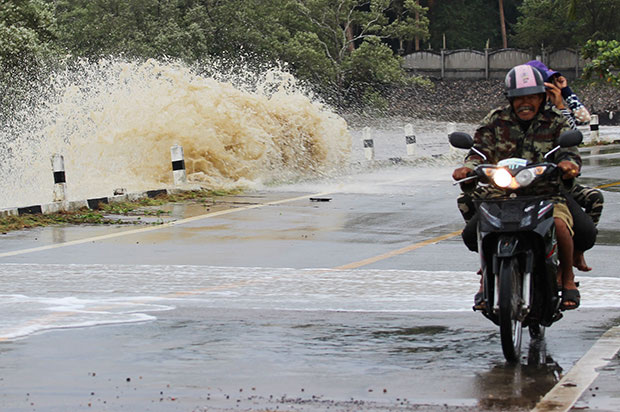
(349, 29)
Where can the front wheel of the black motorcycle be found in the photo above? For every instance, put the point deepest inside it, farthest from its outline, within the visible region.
(510, 303)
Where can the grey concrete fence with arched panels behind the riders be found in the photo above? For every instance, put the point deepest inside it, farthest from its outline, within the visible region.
(474, 64)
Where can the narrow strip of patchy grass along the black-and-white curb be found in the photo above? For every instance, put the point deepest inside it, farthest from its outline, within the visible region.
(141, 207)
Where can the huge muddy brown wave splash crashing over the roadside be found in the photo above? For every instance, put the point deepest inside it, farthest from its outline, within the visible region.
(115, 121)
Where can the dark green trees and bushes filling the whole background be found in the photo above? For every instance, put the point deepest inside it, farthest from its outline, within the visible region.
(347, 50)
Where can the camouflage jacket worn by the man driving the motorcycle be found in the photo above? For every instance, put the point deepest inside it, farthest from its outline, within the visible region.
(501, 137)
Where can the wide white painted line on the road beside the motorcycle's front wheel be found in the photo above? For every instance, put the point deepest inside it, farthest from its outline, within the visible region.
(570, 388)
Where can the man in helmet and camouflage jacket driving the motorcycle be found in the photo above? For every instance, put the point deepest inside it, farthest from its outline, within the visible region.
(527, 130)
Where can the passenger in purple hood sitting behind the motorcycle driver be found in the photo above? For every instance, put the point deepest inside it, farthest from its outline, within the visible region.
(586, 197)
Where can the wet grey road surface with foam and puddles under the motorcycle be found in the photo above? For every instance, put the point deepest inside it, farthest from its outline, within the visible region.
(358, 300)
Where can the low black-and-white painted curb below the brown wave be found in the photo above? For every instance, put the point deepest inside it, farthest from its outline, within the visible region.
(92, 204)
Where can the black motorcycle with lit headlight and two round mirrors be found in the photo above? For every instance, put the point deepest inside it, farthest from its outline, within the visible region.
(517, 244)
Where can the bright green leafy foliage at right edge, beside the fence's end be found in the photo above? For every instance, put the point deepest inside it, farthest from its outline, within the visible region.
(605, 60)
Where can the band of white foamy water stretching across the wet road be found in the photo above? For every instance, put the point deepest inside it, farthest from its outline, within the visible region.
(41, 297)
